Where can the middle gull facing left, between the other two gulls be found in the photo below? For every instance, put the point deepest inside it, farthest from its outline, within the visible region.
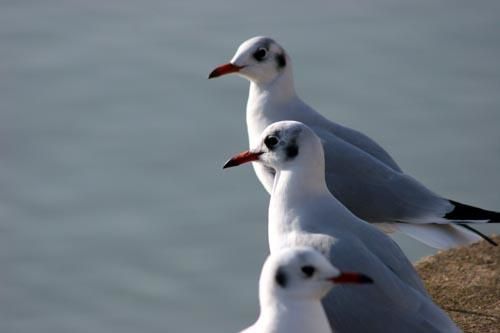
(302, 212)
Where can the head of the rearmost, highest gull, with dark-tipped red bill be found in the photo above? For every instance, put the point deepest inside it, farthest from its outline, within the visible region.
(258, 59)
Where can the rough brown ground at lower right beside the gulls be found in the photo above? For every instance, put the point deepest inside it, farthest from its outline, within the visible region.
(466, 283)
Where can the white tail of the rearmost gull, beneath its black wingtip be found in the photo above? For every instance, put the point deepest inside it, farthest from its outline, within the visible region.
(441, 236)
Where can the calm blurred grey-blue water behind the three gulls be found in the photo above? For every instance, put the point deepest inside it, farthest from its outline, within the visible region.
(115, 215)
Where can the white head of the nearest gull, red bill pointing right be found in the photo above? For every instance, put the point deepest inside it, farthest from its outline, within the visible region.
(301, 273)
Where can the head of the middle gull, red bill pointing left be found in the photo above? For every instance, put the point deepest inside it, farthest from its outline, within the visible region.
(284, 144)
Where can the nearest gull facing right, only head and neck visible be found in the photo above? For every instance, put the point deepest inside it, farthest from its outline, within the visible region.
(292, 283)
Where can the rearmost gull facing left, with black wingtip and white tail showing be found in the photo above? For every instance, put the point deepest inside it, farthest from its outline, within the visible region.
(359, 172)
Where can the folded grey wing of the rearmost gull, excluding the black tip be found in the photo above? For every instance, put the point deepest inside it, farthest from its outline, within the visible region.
(374, 191)
